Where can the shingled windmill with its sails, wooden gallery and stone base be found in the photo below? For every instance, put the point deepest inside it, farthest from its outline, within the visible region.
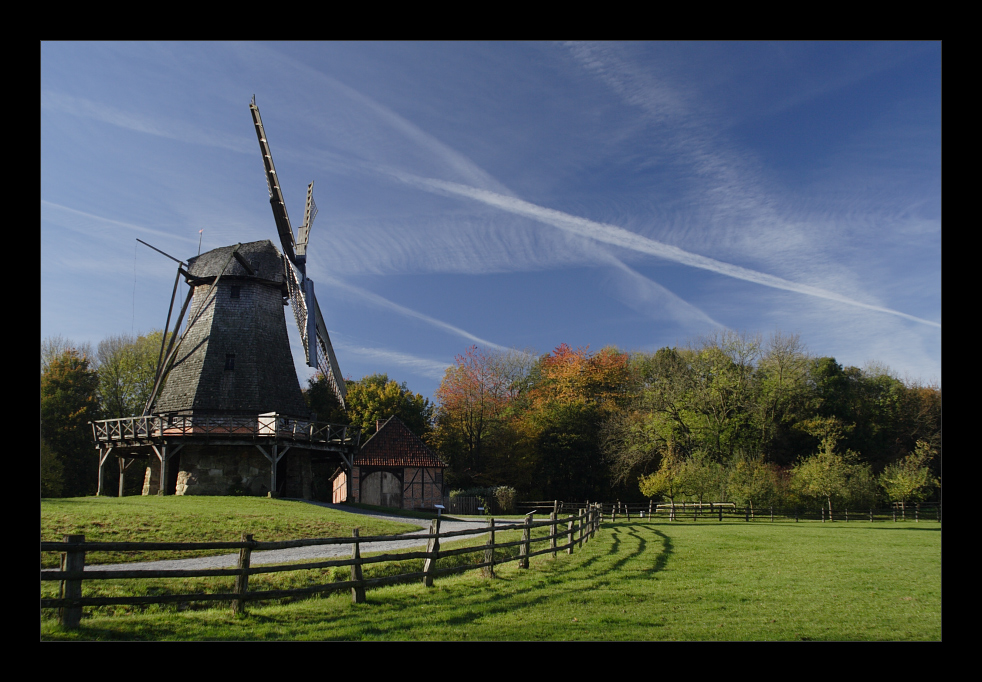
(226, 414)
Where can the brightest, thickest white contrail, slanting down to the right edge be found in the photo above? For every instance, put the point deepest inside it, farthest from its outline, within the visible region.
(618, 236)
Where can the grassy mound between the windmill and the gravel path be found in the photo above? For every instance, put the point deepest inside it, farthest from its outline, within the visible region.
(195, 519)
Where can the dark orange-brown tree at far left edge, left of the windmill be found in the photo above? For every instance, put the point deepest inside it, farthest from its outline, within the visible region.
(69, 400)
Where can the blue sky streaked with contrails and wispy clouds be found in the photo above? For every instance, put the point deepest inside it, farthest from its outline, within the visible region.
(510, 195)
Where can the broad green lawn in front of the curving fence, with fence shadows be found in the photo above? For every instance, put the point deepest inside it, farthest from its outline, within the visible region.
(636, 580)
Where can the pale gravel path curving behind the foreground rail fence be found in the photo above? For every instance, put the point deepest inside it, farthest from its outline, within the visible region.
(311, 553)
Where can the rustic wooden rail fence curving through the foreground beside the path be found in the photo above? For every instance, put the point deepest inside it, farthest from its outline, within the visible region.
(572, 531)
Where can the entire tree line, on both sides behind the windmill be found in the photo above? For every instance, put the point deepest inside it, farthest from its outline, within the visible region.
(727, 417)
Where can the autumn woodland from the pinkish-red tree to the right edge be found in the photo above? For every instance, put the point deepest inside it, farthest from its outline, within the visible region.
(728, 417)
